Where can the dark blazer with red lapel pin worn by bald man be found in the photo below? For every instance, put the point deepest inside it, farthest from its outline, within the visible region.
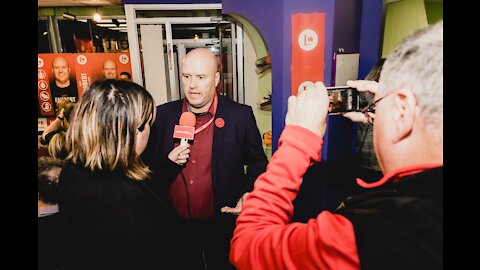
(235, 145)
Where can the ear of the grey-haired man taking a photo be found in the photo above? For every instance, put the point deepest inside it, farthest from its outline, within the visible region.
(404, 106)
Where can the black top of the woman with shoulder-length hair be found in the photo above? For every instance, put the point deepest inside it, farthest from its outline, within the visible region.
(113, 222)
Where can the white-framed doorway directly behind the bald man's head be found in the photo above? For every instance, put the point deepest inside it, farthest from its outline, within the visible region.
(161, 35)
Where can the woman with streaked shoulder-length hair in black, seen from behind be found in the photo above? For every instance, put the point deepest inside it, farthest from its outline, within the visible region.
(115, 220)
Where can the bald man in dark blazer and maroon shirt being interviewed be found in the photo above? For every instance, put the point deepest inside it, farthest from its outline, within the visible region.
(208, 178)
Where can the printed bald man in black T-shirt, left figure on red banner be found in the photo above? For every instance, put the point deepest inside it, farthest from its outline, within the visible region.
(62, 87)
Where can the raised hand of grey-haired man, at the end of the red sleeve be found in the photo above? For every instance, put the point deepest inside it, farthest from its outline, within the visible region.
(309, 109)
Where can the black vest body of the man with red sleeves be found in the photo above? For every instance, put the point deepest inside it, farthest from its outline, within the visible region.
(399, 225)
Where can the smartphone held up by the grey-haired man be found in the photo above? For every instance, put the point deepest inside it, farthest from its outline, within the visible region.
(343, 99)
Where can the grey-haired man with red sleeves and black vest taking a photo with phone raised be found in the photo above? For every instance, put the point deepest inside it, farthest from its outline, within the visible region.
(398, 222)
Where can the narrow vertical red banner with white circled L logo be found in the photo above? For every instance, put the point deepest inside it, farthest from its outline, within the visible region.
(308, 42)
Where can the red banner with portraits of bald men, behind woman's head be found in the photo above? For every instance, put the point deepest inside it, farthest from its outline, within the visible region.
(67, 75)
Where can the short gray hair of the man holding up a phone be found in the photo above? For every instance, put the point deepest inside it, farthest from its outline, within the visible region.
(416, 64)
